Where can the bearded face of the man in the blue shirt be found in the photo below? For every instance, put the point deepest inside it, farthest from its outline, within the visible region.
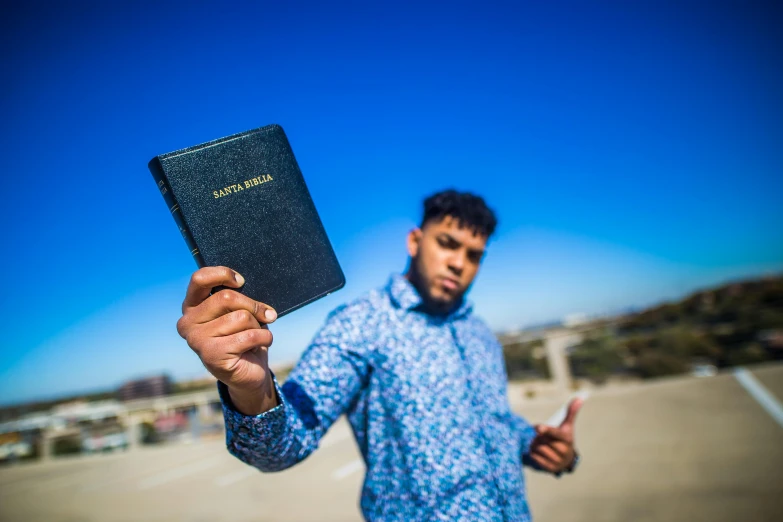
(444, 261)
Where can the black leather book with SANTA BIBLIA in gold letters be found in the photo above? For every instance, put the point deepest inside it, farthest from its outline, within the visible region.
(241, 202)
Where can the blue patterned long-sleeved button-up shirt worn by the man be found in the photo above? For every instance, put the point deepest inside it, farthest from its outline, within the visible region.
(426, 398)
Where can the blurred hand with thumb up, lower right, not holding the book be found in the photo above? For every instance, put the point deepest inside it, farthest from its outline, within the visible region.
(552, 448)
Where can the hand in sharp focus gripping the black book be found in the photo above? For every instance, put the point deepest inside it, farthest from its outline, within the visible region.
(228, 332)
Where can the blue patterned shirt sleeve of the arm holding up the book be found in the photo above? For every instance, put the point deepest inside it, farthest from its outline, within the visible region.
(322, 386)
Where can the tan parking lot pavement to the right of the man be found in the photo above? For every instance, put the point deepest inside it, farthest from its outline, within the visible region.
(674, 450)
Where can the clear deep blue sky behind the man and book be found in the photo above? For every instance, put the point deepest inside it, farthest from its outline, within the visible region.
(633, 153)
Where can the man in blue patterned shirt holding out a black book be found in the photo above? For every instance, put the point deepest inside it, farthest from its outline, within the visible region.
(420, 377)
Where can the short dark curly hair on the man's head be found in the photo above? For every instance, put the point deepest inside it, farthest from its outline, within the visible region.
(468, 209)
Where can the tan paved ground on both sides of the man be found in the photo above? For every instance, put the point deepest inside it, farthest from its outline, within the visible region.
(674, 450)
